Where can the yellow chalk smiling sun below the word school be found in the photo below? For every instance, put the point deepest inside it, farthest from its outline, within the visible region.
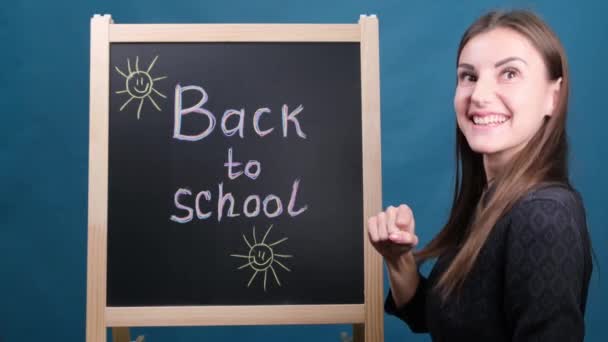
(262, 257)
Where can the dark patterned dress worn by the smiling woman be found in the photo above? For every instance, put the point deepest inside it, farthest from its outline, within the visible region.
(529, 282)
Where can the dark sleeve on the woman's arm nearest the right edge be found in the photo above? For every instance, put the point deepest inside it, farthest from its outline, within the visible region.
(544, 273)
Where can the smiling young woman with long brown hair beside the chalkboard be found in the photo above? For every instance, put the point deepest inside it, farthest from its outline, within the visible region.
(513, 260)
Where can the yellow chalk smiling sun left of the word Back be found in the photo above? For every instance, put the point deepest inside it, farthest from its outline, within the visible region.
(139, 85)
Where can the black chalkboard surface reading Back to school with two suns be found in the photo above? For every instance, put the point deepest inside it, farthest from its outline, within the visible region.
(235, 174)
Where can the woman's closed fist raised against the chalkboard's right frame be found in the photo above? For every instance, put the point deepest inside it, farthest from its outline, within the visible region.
(392, 232)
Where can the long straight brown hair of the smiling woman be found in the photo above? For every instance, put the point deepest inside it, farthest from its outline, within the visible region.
(542, 160)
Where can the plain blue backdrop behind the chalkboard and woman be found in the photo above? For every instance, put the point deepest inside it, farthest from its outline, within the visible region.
(44, 96)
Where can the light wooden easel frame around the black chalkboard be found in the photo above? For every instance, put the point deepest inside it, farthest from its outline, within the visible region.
(367, 317)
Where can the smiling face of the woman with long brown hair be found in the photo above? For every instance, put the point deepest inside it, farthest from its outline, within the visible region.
(503, 92)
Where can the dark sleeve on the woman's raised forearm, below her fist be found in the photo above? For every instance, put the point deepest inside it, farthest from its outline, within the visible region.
(413, 313)
